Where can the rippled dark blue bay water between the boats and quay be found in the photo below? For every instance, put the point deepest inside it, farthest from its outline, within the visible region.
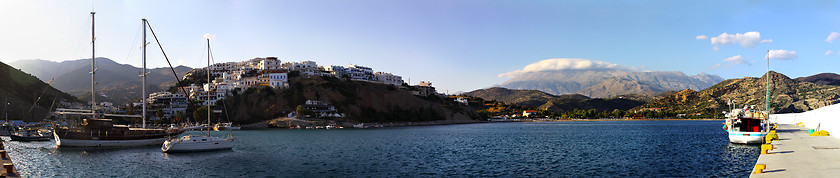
(546, 149)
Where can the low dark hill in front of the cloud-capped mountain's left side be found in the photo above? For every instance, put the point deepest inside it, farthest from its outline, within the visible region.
(554, 103)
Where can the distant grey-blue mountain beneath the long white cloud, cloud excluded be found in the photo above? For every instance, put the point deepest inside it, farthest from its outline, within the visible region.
(609, 82)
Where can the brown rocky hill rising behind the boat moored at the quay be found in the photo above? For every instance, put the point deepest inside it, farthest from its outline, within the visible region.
(786, 95)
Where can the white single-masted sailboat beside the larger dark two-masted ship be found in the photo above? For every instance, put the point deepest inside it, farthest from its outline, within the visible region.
(196, 143)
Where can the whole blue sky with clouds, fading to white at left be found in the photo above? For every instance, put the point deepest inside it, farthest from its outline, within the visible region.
(458, 45)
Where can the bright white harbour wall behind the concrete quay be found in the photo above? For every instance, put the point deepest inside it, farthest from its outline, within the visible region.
(826, 118)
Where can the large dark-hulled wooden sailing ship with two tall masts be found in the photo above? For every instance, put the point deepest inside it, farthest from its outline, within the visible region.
(98, 132)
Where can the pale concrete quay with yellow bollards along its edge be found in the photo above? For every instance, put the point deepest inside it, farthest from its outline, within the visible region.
(796, 154)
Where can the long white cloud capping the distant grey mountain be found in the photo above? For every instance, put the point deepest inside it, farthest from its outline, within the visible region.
(561, 64)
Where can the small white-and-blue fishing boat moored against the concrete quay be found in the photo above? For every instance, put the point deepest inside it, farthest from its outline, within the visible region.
(749, 125)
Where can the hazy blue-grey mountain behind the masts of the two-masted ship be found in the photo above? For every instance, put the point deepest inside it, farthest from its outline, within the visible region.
(117, 83)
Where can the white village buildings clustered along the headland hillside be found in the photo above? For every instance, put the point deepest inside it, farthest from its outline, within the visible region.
(230, 77)
